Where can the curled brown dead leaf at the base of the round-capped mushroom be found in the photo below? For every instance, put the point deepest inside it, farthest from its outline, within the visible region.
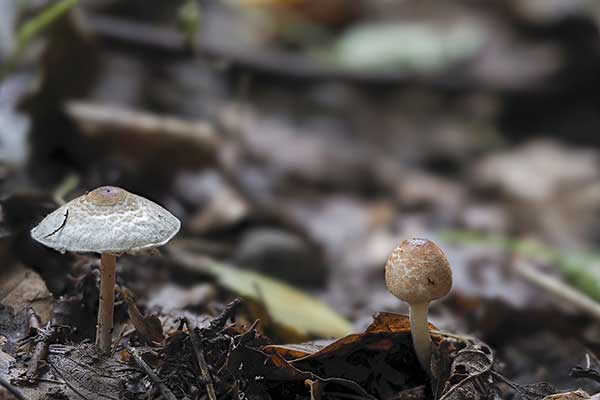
(381, 359)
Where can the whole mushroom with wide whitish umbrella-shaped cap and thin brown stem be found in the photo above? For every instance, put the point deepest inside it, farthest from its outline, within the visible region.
(110, 221)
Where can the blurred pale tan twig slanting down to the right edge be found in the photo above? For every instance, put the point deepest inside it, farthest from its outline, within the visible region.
(557, 288)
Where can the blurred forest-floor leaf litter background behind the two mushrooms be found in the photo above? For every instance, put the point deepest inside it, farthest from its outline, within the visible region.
(304, 139)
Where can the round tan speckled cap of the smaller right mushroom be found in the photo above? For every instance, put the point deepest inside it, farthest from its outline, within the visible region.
(418, 272)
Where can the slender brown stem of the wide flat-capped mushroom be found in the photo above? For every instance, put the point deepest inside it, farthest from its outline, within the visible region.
(108, 265)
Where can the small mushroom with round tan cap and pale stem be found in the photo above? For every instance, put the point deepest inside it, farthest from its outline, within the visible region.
(418, 272)
